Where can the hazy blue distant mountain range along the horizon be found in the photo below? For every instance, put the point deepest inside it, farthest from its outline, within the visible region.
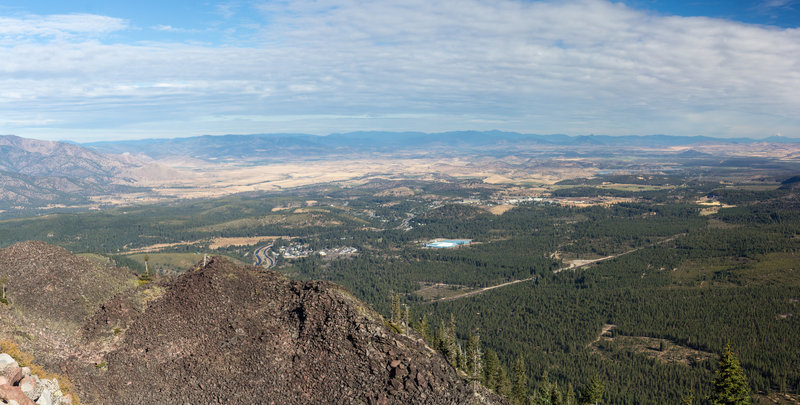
(278, 146)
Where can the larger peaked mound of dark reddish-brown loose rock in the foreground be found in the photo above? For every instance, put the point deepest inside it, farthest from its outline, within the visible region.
(231, 334)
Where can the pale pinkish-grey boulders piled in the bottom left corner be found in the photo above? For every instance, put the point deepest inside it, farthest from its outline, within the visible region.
(19, 386)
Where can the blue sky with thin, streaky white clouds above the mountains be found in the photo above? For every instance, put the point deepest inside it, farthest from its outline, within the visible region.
(88, 70)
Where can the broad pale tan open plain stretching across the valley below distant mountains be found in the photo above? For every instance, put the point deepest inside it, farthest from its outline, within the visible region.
(188, 179)
